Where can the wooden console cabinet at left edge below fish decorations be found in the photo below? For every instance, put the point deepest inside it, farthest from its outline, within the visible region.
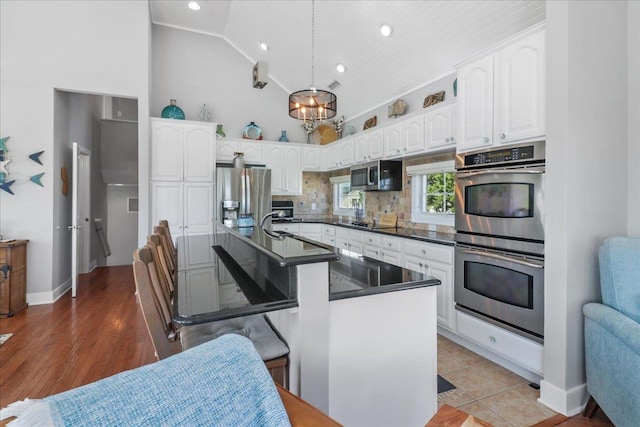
(13, 277)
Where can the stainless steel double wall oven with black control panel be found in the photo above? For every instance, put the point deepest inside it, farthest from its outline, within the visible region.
(499, 264)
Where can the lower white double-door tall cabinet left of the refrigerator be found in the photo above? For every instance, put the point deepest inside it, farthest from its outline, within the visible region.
(188, 207)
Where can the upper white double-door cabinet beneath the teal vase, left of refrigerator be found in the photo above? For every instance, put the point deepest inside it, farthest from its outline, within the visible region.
(182, 150)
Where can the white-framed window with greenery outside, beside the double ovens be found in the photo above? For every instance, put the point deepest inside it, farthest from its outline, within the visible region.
(433, 193)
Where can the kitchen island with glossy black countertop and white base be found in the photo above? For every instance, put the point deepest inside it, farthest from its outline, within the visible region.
(361, 333)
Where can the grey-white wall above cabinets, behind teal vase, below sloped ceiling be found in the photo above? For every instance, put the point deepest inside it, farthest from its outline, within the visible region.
(198, 69)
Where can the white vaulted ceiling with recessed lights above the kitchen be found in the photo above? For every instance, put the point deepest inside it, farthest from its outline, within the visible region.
(429, 38)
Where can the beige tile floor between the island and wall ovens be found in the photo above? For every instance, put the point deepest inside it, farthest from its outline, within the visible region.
(487, 390)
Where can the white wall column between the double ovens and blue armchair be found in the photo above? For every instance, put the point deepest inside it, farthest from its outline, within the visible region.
(586, 149)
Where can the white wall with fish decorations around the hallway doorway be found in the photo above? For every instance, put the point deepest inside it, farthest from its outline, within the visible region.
(90, 46)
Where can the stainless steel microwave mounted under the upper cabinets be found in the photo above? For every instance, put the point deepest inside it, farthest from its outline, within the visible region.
(380, 175)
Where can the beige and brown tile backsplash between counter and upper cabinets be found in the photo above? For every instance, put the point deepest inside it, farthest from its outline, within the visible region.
(316, 188)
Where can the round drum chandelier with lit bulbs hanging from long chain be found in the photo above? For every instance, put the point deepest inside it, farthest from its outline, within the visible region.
(312, 105)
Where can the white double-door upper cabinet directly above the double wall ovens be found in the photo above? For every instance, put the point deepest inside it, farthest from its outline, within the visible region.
(501, 97)
